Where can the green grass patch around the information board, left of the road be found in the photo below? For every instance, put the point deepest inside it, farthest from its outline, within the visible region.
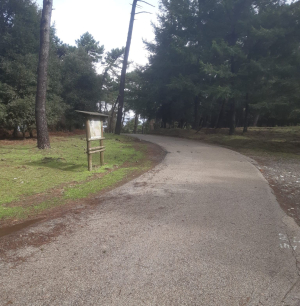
(34, 180)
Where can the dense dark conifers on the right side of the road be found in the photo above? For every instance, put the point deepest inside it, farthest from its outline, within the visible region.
(220, 64)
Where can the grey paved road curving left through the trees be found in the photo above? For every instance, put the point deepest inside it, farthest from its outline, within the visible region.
(202, 228)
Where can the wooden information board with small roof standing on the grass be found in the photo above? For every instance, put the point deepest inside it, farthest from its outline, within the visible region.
(94, 131)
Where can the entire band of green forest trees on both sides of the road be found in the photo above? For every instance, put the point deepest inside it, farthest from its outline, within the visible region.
(213, 63)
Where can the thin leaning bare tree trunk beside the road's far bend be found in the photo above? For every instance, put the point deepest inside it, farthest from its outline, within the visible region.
(123, 73)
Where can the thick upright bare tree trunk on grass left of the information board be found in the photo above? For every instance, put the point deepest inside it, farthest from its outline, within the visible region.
(40, 106)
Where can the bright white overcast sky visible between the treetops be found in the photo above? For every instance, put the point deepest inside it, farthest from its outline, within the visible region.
(106, 20)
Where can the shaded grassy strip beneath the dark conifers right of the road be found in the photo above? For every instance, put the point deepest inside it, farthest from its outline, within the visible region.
(282, 142)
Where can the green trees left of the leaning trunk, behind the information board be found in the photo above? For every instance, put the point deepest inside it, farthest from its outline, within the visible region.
(73, 80)
